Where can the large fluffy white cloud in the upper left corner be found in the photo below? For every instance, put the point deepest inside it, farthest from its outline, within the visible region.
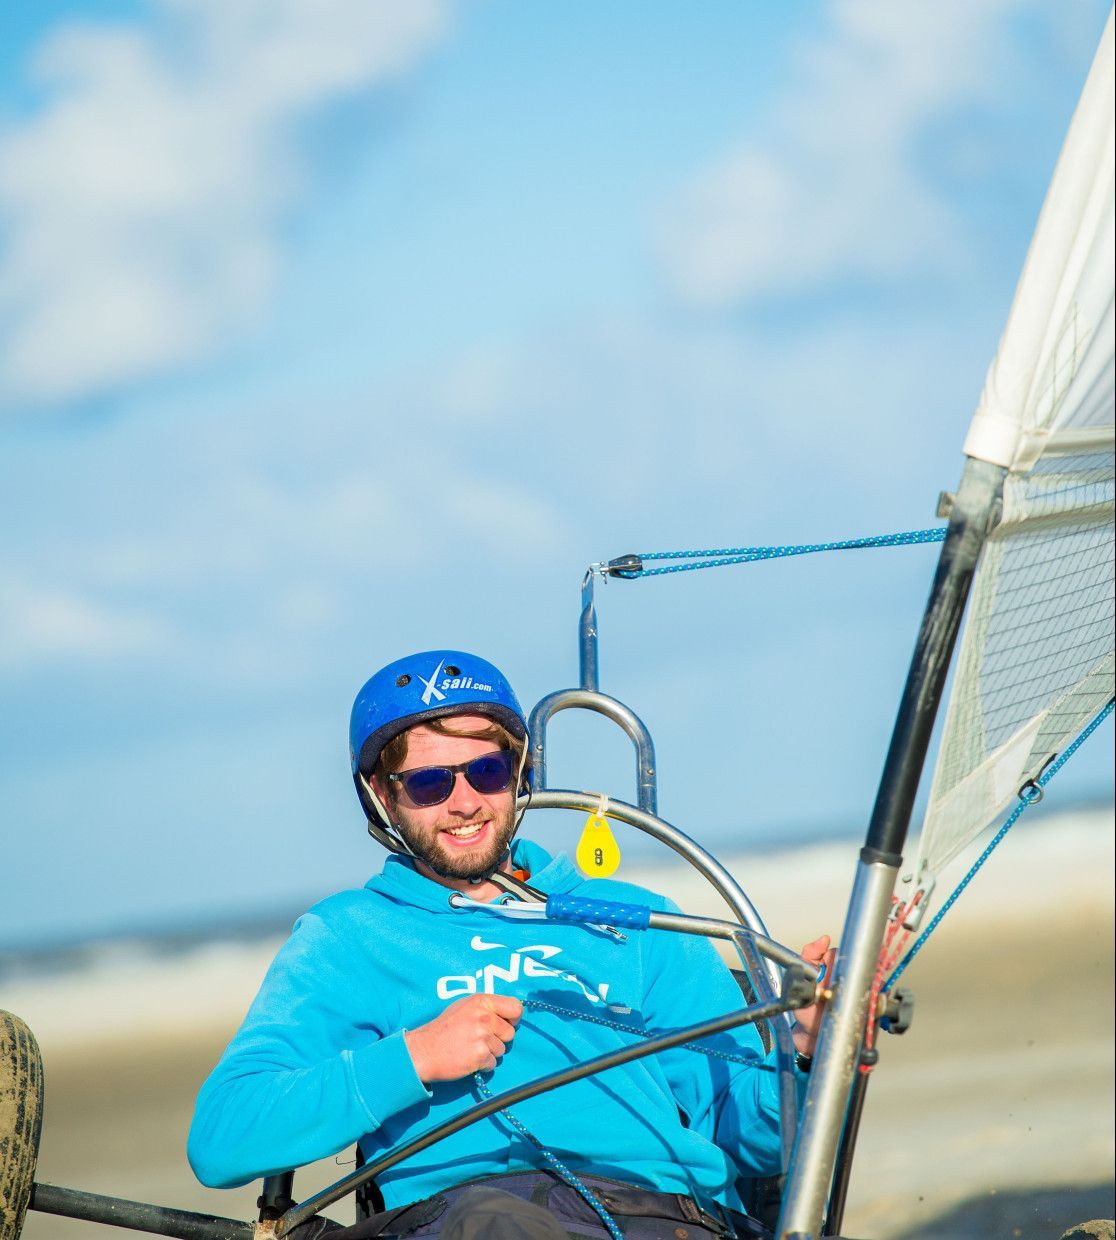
(142, 201)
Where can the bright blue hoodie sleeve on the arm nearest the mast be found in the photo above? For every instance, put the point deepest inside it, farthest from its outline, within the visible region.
(735, 1105)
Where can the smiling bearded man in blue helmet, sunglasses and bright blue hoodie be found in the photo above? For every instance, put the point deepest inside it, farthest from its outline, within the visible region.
(397, 1006)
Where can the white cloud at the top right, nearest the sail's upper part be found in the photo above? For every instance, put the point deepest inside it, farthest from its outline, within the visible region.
(835, 188)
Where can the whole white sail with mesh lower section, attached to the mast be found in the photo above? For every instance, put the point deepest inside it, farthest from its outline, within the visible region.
(1037, 655)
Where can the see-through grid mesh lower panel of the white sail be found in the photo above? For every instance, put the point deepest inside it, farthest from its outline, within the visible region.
(1037, 657)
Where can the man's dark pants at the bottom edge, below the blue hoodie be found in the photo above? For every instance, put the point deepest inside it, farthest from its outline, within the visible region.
(539, 1206)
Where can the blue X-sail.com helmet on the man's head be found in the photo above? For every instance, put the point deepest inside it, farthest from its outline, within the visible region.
(416, 690)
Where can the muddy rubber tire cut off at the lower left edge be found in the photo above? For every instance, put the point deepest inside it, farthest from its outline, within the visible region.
(20, 1122)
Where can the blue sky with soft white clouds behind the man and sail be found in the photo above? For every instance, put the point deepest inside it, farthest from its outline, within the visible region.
(335, 330)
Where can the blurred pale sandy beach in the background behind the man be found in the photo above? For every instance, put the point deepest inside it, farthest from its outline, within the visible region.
(994, 1117)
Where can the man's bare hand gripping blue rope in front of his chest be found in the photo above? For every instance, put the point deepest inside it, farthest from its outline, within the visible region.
(471, 1036)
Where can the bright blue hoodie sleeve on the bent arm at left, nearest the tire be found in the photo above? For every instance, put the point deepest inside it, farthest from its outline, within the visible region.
(308, 1073)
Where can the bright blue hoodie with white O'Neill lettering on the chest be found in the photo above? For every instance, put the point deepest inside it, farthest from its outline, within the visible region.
(321, 1061)
